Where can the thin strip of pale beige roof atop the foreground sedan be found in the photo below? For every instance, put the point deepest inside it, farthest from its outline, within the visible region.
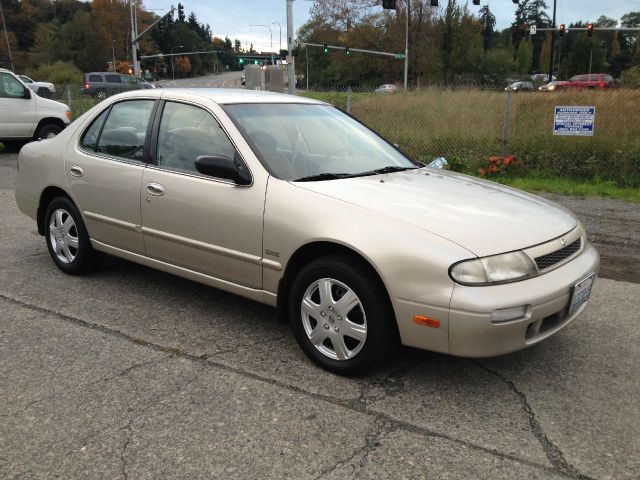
(221, 95)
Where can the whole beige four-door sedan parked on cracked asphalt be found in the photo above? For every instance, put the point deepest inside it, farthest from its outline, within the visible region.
(290, 202)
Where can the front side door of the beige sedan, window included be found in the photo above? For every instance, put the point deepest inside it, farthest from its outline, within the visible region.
(201, 223)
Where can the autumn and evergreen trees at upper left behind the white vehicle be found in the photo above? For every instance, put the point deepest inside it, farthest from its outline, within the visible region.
(60, 39)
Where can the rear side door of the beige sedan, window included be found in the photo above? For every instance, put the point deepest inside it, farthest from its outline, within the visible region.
(104, 173)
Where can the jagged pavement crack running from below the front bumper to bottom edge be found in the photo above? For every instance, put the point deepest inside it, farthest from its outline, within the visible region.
(551, 450)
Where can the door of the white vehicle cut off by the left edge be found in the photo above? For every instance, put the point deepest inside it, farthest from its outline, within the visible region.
(17, 113)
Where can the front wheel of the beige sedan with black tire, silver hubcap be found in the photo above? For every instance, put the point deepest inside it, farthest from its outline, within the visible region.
(373, 311)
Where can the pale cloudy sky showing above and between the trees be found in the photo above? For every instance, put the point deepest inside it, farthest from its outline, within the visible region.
(232, 17)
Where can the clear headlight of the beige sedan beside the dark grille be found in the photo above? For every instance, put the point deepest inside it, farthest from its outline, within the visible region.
(504, 268)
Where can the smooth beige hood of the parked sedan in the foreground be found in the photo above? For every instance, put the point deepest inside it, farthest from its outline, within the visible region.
(484, 217)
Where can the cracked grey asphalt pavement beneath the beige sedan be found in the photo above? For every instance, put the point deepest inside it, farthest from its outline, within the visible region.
(134, 373)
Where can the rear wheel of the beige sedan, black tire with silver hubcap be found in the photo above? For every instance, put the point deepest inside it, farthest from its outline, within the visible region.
(83, 258)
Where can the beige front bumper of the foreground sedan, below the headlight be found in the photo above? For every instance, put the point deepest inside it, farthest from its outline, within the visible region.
(547, 297)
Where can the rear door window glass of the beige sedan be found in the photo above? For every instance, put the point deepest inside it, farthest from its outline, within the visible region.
(125, 130)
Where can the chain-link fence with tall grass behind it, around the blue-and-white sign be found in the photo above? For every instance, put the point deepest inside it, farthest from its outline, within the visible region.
(492, 133)
